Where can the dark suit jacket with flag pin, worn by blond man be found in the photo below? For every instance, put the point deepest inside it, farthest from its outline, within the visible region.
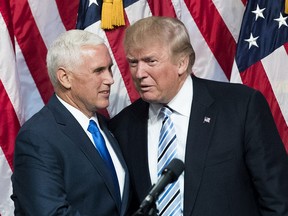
(235, 163)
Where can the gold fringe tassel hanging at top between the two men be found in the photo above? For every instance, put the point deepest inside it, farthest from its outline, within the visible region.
(112, 14)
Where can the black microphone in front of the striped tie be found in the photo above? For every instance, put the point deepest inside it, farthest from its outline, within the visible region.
(169, 175)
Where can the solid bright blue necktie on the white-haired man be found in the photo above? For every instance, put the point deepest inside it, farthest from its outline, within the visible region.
(104, 153)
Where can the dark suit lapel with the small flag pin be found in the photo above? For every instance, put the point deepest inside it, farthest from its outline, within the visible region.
(201, 124)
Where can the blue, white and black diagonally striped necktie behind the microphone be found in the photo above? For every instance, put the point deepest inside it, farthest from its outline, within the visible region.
(169, 202)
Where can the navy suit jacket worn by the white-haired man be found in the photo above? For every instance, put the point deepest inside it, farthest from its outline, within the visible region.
(58, 171)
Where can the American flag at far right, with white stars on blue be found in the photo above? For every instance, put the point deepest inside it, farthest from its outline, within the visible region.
(261, 56)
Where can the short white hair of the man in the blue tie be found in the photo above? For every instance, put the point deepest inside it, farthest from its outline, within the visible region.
(65, 51)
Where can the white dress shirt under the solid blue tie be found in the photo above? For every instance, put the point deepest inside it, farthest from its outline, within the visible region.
(84, 122)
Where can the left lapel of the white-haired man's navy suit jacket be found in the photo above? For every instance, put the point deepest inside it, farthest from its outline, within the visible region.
(74, 131)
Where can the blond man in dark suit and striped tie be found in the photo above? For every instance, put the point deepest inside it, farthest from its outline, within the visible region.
(235, 161)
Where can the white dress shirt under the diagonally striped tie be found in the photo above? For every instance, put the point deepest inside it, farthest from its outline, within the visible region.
(181, 106)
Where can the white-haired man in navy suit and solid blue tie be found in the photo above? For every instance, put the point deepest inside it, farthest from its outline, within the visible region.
(58, 169)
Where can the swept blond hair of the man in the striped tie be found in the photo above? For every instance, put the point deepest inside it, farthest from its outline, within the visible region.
(166, 30)
